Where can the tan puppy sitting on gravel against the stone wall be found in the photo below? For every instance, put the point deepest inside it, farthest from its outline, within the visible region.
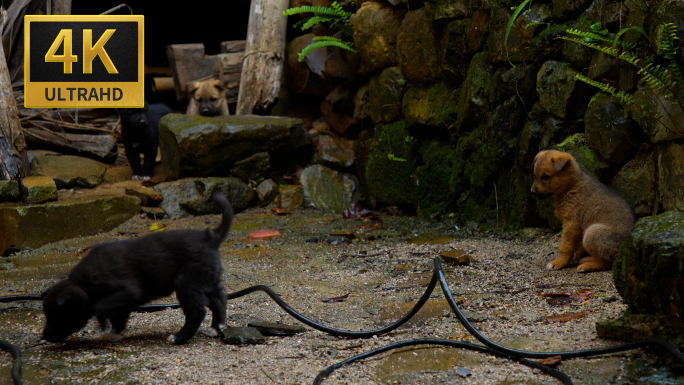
(595, 218)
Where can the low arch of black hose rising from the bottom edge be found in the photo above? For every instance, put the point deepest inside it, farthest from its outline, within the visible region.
(454, 344)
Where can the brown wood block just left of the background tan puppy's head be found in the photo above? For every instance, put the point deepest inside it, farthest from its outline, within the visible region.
(188, 63)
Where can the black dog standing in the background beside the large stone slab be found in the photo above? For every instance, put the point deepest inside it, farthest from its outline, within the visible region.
(140, 131)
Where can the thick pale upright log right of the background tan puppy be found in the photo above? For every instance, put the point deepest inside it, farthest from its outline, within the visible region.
(264, 56)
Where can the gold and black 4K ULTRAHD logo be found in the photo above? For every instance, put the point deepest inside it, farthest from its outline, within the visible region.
(83, 61)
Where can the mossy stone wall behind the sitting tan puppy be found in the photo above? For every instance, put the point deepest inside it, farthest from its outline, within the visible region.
(442, 120)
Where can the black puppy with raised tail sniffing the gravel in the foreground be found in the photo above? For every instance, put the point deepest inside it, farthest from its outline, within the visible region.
(114, 278)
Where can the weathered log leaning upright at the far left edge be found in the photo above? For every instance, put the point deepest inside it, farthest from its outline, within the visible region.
(13, 158)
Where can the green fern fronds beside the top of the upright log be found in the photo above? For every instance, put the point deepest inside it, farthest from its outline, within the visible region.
(335, 15)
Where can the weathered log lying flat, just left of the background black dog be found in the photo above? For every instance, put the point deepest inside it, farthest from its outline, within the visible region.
(99, 147)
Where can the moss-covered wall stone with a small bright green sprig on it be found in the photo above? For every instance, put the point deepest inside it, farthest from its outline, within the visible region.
(390, 163)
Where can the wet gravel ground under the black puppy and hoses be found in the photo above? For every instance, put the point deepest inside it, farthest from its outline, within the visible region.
(382, 271)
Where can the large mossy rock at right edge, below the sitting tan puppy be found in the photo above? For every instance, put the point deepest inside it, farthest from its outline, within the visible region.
(649, 270)
